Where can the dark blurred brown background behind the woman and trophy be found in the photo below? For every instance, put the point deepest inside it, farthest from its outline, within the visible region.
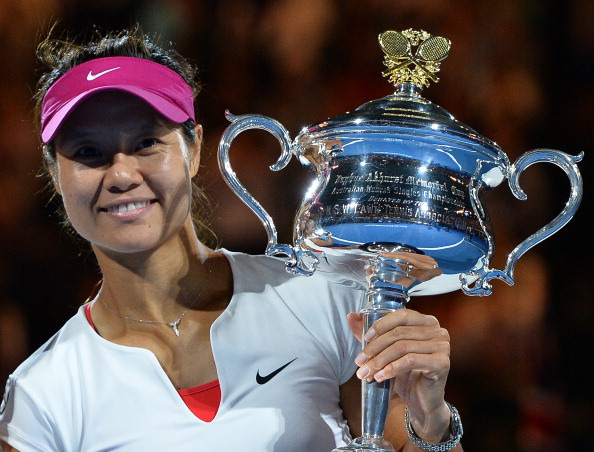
(520, 73)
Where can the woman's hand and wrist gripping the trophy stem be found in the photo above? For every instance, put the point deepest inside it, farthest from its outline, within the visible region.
(414, 350)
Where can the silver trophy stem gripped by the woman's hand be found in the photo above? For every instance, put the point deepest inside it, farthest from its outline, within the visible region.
(387, 293)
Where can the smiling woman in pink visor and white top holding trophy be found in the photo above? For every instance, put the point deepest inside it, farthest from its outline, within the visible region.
(185, 347)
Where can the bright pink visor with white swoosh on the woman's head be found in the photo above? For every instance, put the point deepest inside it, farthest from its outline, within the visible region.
(162, 88)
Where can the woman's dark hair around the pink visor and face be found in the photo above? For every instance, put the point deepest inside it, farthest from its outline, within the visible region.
(59, 55)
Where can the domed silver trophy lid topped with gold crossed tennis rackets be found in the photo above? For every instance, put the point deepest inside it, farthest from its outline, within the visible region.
(406, 111)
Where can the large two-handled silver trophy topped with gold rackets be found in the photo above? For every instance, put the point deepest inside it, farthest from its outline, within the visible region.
(395, 206)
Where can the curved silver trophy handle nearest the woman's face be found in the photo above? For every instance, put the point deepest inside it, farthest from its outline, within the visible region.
(301, 261)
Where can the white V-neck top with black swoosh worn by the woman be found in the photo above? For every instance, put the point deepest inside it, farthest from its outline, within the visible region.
(282, 349)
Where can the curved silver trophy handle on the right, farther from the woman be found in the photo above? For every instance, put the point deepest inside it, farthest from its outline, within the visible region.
(568, 163)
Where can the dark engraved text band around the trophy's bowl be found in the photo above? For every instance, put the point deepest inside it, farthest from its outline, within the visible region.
(393, 189)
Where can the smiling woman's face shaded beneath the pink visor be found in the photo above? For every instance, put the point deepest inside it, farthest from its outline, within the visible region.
(124, 173)
